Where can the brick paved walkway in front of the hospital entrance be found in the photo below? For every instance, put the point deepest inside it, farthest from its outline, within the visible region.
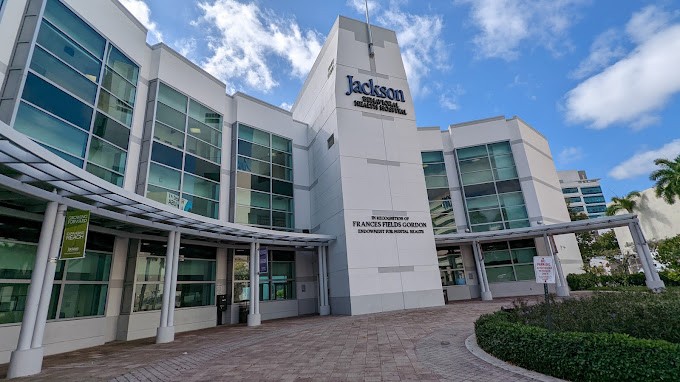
(396, 346)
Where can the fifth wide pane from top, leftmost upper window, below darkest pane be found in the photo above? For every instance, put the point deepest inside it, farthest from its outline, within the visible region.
(50, 130)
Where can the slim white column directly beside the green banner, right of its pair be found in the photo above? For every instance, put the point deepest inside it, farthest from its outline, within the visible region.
(48, 282)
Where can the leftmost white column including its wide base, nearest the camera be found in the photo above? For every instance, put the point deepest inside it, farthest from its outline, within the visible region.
(24, 360)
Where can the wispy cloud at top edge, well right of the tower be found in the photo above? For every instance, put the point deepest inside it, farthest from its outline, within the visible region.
(506, 24)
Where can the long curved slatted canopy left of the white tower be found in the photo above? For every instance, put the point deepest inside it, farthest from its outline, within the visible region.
(28, 169)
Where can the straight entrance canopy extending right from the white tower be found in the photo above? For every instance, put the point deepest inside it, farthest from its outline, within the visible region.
(537, 231)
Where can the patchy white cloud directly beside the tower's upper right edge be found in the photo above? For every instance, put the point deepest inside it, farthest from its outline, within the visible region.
(421, 42)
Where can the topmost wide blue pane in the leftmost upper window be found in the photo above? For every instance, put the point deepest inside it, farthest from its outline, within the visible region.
(72, 25)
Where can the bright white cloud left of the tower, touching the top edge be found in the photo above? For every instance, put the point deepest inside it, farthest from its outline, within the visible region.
(242, 39)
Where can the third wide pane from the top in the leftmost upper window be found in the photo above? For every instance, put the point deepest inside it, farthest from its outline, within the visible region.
(46, 65)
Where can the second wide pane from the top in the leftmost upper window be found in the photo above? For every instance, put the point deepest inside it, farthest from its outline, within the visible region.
(67, 50)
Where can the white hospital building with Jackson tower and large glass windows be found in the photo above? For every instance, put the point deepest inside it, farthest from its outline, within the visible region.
(342, 200)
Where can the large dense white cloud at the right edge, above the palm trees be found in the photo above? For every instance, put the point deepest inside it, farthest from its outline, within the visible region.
(631, 89)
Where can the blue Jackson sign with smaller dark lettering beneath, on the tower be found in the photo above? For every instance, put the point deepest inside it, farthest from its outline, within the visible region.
(376, 97)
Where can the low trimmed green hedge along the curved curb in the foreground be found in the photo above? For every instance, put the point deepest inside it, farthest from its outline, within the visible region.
(578, 356)
